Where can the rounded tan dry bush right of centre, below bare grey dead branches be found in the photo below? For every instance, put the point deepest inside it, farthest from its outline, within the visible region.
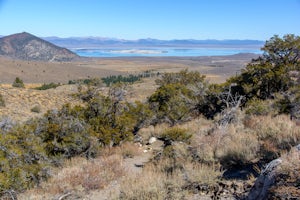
(231, 146)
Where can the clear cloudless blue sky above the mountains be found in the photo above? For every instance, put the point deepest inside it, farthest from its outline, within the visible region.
(160, 19)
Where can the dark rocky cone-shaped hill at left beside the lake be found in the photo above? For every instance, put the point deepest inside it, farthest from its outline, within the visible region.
(25, 46)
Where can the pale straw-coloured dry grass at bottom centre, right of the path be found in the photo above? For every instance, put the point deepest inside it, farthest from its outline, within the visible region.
(155, 183)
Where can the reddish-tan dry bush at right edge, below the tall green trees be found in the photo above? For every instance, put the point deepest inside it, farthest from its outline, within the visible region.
(279, 132)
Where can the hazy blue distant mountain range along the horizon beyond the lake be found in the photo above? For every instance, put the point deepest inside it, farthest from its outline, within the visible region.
(98, 42)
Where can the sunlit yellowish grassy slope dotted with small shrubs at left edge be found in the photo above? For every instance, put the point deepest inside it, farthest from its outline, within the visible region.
(20, 101)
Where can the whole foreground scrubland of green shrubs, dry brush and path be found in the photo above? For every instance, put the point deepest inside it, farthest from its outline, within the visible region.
(173, 136)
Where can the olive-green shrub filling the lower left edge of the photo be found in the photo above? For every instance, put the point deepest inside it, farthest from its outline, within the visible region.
(23, 160)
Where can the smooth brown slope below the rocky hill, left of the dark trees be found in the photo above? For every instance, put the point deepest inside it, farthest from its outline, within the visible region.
(46, 72)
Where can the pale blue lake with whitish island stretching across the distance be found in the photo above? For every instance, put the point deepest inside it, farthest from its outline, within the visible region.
(131, 52)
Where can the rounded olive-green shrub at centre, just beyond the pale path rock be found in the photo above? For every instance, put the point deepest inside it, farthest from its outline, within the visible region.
(178, 96)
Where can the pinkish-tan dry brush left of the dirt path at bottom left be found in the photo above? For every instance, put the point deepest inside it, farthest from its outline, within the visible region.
(79, 175)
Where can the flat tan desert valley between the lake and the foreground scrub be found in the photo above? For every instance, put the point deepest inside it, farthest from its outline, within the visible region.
(216, 68)
